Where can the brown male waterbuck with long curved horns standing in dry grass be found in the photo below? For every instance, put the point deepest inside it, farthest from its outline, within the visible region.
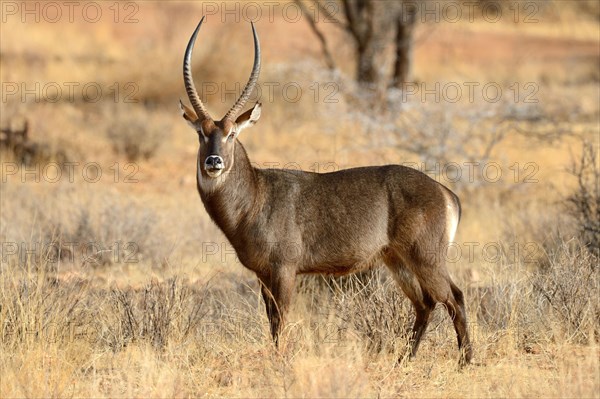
(337, 223)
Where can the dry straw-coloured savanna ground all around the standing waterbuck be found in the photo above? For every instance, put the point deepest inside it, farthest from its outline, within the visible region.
(119, 285)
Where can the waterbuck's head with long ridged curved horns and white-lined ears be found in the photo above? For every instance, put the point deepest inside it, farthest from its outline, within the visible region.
(218, 138)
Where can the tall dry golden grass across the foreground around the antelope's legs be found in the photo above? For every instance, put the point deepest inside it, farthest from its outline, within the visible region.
(184, 338)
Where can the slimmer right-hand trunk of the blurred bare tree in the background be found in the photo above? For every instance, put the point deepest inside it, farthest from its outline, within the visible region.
(404, 48)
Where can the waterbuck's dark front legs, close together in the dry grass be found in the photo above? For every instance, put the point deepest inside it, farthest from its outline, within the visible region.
(277, 290)
